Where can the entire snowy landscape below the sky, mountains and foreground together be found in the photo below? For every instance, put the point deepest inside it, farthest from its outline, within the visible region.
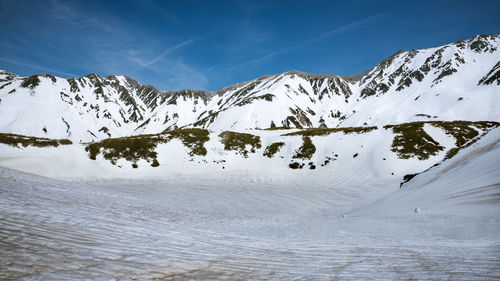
(392, 174)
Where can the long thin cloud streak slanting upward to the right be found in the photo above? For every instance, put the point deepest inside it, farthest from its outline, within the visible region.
(341, 29)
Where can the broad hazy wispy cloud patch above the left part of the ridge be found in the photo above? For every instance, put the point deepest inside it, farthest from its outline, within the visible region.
(109, 39)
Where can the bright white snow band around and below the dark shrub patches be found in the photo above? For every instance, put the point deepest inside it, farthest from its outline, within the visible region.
(337, 155)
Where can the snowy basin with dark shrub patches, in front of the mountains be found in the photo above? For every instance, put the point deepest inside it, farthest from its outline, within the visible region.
(233, 212)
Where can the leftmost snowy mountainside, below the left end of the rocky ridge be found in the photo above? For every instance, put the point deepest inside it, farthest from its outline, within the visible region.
(85, 108)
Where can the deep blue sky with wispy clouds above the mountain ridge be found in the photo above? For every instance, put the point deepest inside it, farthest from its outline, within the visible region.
(211, 44)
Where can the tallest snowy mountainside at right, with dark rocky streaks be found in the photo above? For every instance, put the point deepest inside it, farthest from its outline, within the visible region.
(452, 82)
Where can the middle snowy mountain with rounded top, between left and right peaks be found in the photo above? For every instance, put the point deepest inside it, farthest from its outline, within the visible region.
(292, 99)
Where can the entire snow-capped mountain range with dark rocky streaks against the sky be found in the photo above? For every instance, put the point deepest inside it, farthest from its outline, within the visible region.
(457, 81)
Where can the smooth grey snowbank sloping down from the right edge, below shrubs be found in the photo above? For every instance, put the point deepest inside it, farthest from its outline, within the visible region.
(467, 184)
